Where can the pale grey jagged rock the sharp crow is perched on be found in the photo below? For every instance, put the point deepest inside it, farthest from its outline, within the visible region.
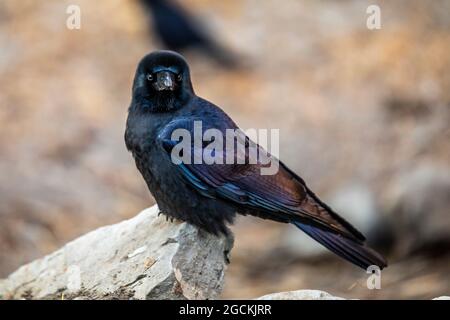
(145, 257)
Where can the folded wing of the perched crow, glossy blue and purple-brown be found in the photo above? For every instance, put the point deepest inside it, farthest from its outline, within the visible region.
(282, 196)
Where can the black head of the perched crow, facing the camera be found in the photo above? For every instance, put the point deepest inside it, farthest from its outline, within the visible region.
(162, 82)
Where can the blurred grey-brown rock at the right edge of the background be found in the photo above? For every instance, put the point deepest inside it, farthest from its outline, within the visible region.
(419, 201)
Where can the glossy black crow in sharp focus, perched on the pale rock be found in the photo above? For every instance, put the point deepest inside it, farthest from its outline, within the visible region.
(209, 195)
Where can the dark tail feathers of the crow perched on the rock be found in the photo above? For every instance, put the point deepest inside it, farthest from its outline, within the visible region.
(351, 250)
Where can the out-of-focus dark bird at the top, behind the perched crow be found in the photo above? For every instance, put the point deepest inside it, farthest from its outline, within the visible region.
(180, 31)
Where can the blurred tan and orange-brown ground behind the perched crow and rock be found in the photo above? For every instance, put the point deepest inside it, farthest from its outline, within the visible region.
(363, 115)
